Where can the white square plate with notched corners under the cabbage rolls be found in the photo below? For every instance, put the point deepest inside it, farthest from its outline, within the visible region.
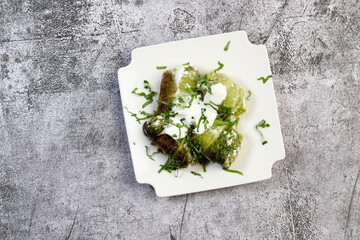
(244, 63)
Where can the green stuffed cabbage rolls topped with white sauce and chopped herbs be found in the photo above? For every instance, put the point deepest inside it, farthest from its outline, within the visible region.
(196, 118)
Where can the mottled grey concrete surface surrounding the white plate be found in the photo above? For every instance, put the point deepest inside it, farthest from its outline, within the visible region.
(65, 169)
